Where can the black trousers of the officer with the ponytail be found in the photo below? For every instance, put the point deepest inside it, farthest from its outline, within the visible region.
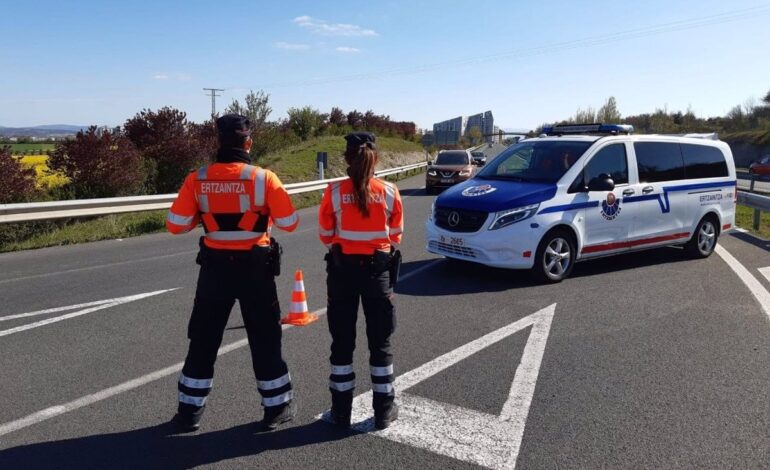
(352, 281)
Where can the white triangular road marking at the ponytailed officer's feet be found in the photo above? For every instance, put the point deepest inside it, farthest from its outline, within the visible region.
(469, 435)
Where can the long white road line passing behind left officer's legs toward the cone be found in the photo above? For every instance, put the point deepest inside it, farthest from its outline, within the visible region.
(53, 411)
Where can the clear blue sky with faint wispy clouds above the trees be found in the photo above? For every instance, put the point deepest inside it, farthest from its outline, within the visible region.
(100, 62)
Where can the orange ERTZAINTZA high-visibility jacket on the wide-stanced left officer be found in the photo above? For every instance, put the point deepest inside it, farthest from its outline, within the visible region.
(237, 203)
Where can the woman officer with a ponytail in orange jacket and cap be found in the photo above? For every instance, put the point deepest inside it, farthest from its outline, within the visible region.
(361, 221)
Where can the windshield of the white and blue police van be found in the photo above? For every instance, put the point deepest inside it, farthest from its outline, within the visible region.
(537, 161)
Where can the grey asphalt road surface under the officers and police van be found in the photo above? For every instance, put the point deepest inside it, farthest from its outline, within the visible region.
(647, 360)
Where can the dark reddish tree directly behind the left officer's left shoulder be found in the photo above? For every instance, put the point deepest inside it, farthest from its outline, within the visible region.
(175, 145)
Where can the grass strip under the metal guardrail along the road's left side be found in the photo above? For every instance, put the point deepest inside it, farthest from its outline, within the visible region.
(26, 236)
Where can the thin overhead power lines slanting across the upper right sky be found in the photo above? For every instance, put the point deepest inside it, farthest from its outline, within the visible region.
(636, 33)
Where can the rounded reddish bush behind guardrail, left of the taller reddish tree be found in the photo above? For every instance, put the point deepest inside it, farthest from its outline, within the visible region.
(99, 166)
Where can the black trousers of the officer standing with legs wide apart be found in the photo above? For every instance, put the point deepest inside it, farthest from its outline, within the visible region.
(227, 276)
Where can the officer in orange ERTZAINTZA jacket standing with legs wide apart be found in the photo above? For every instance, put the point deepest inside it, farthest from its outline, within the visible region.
(238, 204)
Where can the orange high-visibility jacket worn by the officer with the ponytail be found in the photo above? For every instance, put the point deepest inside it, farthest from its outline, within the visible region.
(340, 220)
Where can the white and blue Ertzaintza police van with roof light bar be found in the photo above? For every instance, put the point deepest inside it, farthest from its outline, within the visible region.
(584, 191)
